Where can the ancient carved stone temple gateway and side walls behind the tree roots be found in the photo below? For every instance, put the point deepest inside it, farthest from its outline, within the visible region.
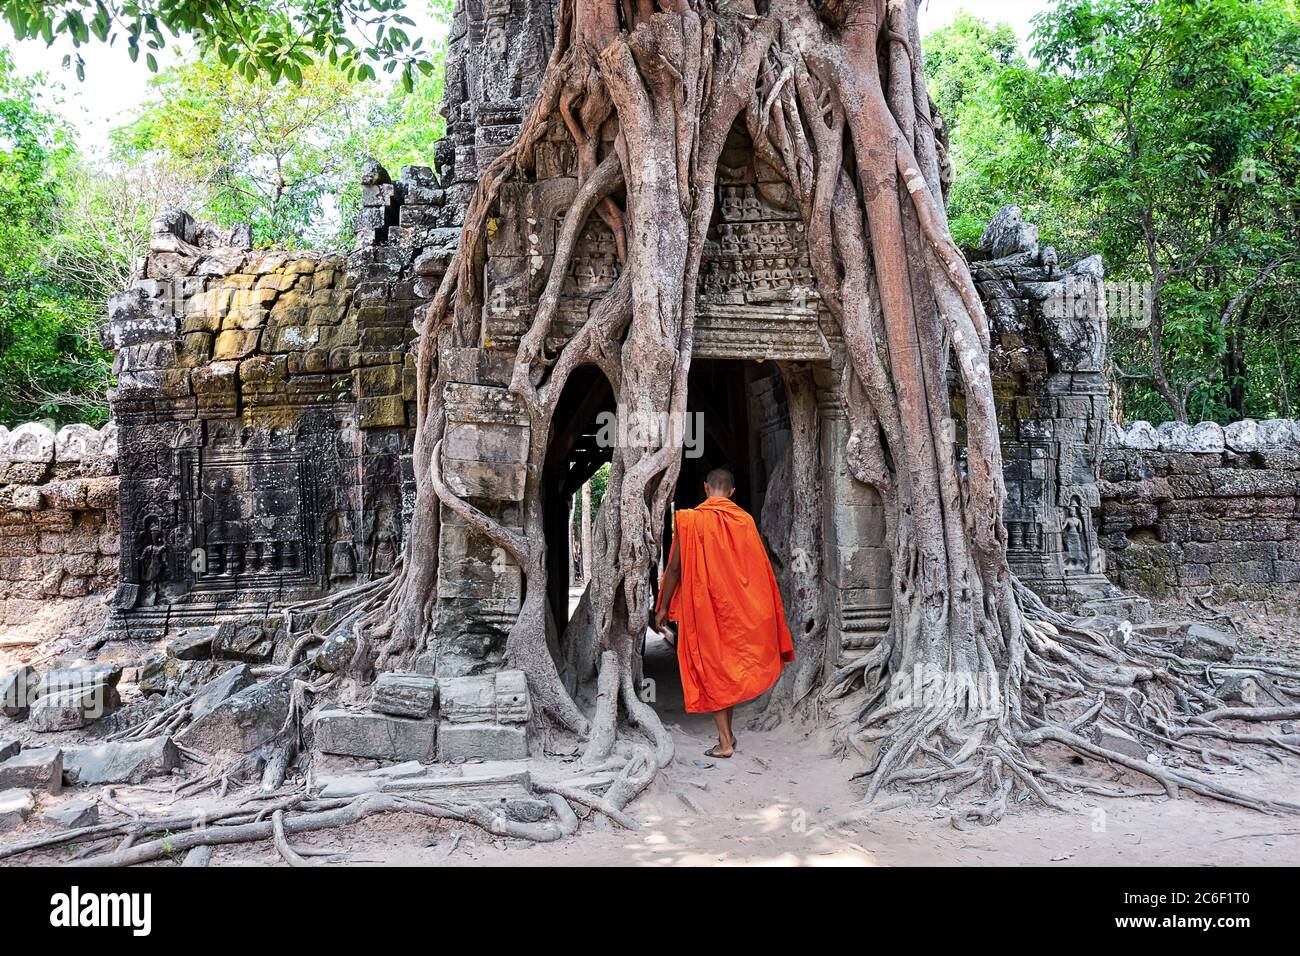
(265, 399)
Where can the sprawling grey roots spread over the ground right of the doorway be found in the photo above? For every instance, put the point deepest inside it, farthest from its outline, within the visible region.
(1078, 681)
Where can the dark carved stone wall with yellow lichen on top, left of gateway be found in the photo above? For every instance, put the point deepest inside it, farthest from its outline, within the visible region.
(263, 400)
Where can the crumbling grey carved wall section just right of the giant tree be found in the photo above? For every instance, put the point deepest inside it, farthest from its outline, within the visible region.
(1048, 331)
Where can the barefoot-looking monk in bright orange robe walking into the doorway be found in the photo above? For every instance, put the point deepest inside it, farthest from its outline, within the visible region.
(721, 590)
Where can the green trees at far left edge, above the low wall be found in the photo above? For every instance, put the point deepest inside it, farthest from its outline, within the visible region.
(50, 358)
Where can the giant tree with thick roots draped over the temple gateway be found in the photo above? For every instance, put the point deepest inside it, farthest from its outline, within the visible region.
(974, 672)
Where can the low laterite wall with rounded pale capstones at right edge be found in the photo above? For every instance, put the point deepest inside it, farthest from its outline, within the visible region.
(1188, 508)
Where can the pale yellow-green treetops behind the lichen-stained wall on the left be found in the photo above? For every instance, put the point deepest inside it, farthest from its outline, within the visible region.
(284, 157)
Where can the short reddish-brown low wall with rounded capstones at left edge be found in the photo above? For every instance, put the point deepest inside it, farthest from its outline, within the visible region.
(59, 516)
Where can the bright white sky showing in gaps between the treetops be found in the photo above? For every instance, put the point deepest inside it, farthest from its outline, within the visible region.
(115, 85)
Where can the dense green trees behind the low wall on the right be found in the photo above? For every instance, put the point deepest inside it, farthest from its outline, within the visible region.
(1167, 136)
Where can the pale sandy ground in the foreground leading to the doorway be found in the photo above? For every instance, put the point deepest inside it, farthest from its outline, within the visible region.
(777, 804)
